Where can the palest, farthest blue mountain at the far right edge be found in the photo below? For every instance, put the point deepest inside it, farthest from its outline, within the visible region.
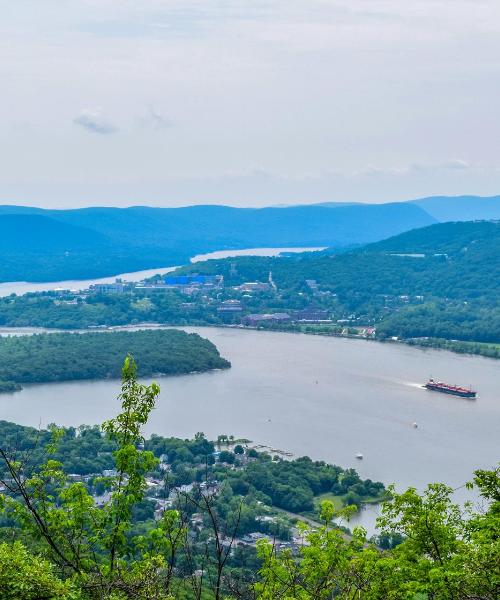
(461, 208)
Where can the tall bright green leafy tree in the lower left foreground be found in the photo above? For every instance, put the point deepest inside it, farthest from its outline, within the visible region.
(89, 545)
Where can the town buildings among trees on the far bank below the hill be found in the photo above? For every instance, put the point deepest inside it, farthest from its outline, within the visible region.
(208, 299)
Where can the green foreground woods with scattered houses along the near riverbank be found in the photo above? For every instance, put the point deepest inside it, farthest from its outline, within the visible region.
(100, 539)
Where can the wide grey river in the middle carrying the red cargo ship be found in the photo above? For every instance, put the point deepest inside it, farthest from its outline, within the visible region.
(329, 398)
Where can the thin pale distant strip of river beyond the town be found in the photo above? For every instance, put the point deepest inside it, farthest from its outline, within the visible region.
(23, 287)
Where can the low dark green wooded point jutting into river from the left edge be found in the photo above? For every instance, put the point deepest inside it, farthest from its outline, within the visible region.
(72, 356)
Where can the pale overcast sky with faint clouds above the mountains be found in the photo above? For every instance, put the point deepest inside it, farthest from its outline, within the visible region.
(247, 102)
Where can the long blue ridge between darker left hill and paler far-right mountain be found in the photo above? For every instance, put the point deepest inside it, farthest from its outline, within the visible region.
(216, 227)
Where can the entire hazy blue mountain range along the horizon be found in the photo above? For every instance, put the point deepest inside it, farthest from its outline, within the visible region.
(46, 245)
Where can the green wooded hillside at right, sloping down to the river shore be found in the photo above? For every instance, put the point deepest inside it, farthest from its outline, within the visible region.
(441, 281)
